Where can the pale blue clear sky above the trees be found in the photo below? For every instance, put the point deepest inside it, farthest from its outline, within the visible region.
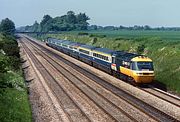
(155, 13)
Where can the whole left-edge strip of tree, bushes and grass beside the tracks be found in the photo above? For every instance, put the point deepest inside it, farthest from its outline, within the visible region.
(14, 105)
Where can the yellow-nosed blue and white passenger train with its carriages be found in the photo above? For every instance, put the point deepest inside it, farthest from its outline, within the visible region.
(127, 66)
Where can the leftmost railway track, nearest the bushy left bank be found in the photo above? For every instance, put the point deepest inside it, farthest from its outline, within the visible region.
(57, 91)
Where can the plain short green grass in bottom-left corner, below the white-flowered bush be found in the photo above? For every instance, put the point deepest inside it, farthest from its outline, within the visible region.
(14, 106)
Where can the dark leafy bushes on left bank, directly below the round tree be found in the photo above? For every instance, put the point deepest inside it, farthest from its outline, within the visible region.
(9, 60)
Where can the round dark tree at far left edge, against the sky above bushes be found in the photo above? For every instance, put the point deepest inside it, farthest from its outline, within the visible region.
(7, 26)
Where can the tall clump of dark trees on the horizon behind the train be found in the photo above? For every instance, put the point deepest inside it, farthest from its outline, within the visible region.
(67, 22)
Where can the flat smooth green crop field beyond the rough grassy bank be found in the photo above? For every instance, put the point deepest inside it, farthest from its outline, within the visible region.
(131, 34)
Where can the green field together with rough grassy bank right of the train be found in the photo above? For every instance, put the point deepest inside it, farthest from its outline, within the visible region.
(162, 46)
